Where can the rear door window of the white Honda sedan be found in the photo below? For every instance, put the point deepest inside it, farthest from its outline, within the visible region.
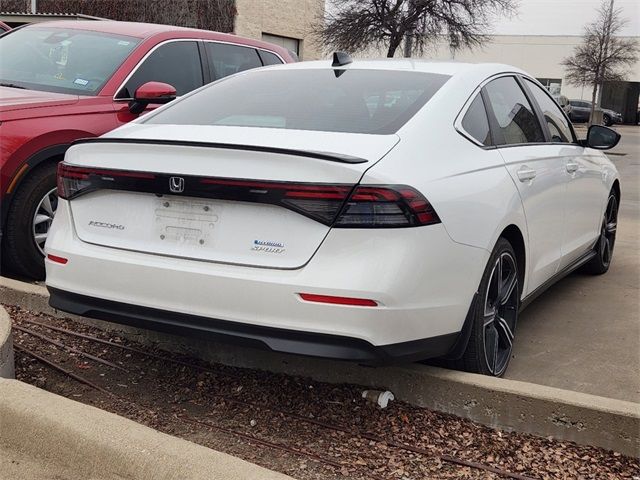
(515, 116)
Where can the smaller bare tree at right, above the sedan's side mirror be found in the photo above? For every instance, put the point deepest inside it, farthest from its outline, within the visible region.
(602, 56)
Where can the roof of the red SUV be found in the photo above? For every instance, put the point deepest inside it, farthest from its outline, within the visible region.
(148, 30)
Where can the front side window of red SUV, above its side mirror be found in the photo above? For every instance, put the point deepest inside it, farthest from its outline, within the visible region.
(175, 63)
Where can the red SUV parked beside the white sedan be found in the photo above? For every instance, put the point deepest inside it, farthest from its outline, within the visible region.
(65, 80)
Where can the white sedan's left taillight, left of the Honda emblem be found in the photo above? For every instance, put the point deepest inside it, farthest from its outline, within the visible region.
(74, 181)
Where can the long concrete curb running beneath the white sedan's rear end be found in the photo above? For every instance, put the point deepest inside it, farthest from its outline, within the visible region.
(500, 403)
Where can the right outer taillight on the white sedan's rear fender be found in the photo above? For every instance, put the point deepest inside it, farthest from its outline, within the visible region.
(386, 207)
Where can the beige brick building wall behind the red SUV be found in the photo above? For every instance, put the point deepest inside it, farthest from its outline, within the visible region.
(287, 18)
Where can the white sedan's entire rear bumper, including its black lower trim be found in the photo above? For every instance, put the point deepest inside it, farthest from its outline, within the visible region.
(422, 281)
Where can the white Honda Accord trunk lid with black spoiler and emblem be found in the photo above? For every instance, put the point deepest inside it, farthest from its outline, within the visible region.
(268, 202)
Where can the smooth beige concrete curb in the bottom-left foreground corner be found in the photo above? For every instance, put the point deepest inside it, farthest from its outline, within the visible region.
(77, 441)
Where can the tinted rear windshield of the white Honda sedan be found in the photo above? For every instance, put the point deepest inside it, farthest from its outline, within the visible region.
(353, 101)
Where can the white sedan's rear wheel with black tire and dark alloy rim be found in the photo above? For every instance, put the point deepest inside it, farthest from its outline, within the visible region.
(495, 315)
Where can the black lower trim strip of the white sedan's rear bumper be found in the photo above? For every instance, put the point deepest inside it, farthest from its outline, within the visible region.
(275, 339)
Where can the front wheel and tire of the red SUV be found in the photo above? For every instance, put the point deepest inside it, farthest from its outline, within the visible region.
(21, 253)
